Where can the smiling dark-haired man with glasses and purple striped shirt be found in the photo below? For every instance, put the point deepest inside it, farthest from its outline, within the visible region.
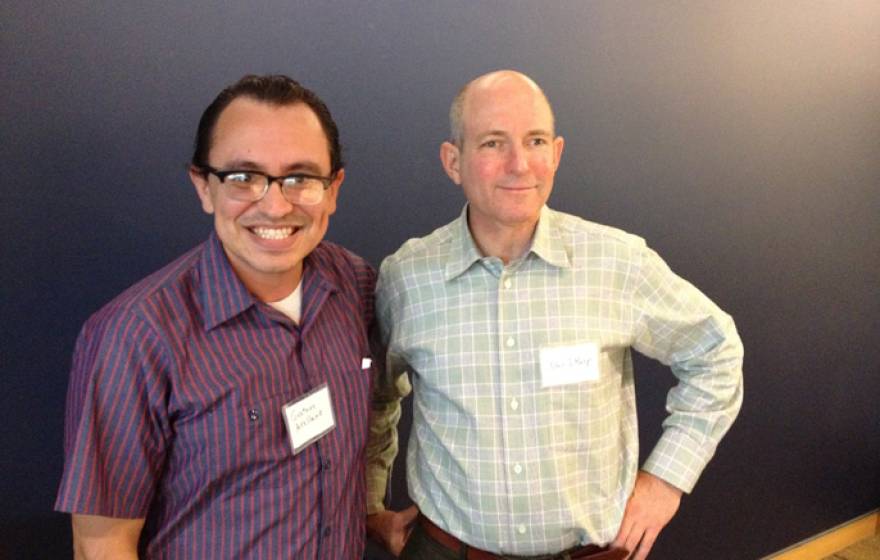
(219, 407)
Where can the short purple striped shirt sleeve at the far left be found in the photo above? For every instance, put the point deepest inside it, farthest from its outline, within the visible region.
(116, 431)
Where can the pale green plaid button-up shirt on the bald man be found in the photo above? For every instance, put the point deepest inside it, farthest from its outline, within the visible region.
(501, 455)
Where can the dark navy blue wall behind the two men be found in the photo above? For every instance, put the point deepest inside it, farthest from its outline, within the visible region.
(740, 138)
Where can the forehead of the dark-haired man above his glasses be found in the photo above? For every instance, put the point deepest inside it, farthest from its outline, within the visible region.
(269, 134)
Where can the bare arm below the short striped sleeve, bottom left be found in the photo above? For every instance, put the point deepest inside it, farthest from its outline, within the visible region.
(96, 537)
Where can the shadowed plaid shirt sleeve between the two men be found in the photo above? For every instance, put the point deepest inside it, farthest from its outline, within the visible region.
(391, 386)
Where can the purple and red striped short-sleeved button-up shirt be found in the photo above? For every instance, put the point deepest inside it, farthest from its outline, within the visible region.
(174, 412)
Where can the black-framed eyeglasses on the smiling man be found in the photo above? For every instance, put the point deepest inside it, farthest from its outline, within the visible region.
(250, 186)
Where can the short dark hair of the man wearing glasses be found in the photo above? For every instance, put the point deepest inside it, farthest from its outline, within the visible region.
(274, 89)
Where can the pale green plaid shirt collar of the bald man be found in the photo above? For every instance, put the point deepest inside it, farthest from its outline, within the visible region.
(547, 244)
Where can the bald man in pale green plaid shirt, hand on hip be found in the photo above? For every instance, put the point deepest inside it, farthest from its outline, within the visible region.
(516, 323)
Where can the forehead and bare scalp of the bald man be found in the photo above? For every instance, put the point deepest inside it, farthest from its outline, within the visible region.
(509, 105)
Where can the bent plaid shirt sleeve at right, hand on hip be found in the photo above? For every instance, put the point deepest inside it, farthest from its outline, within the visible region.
(679, 326)
